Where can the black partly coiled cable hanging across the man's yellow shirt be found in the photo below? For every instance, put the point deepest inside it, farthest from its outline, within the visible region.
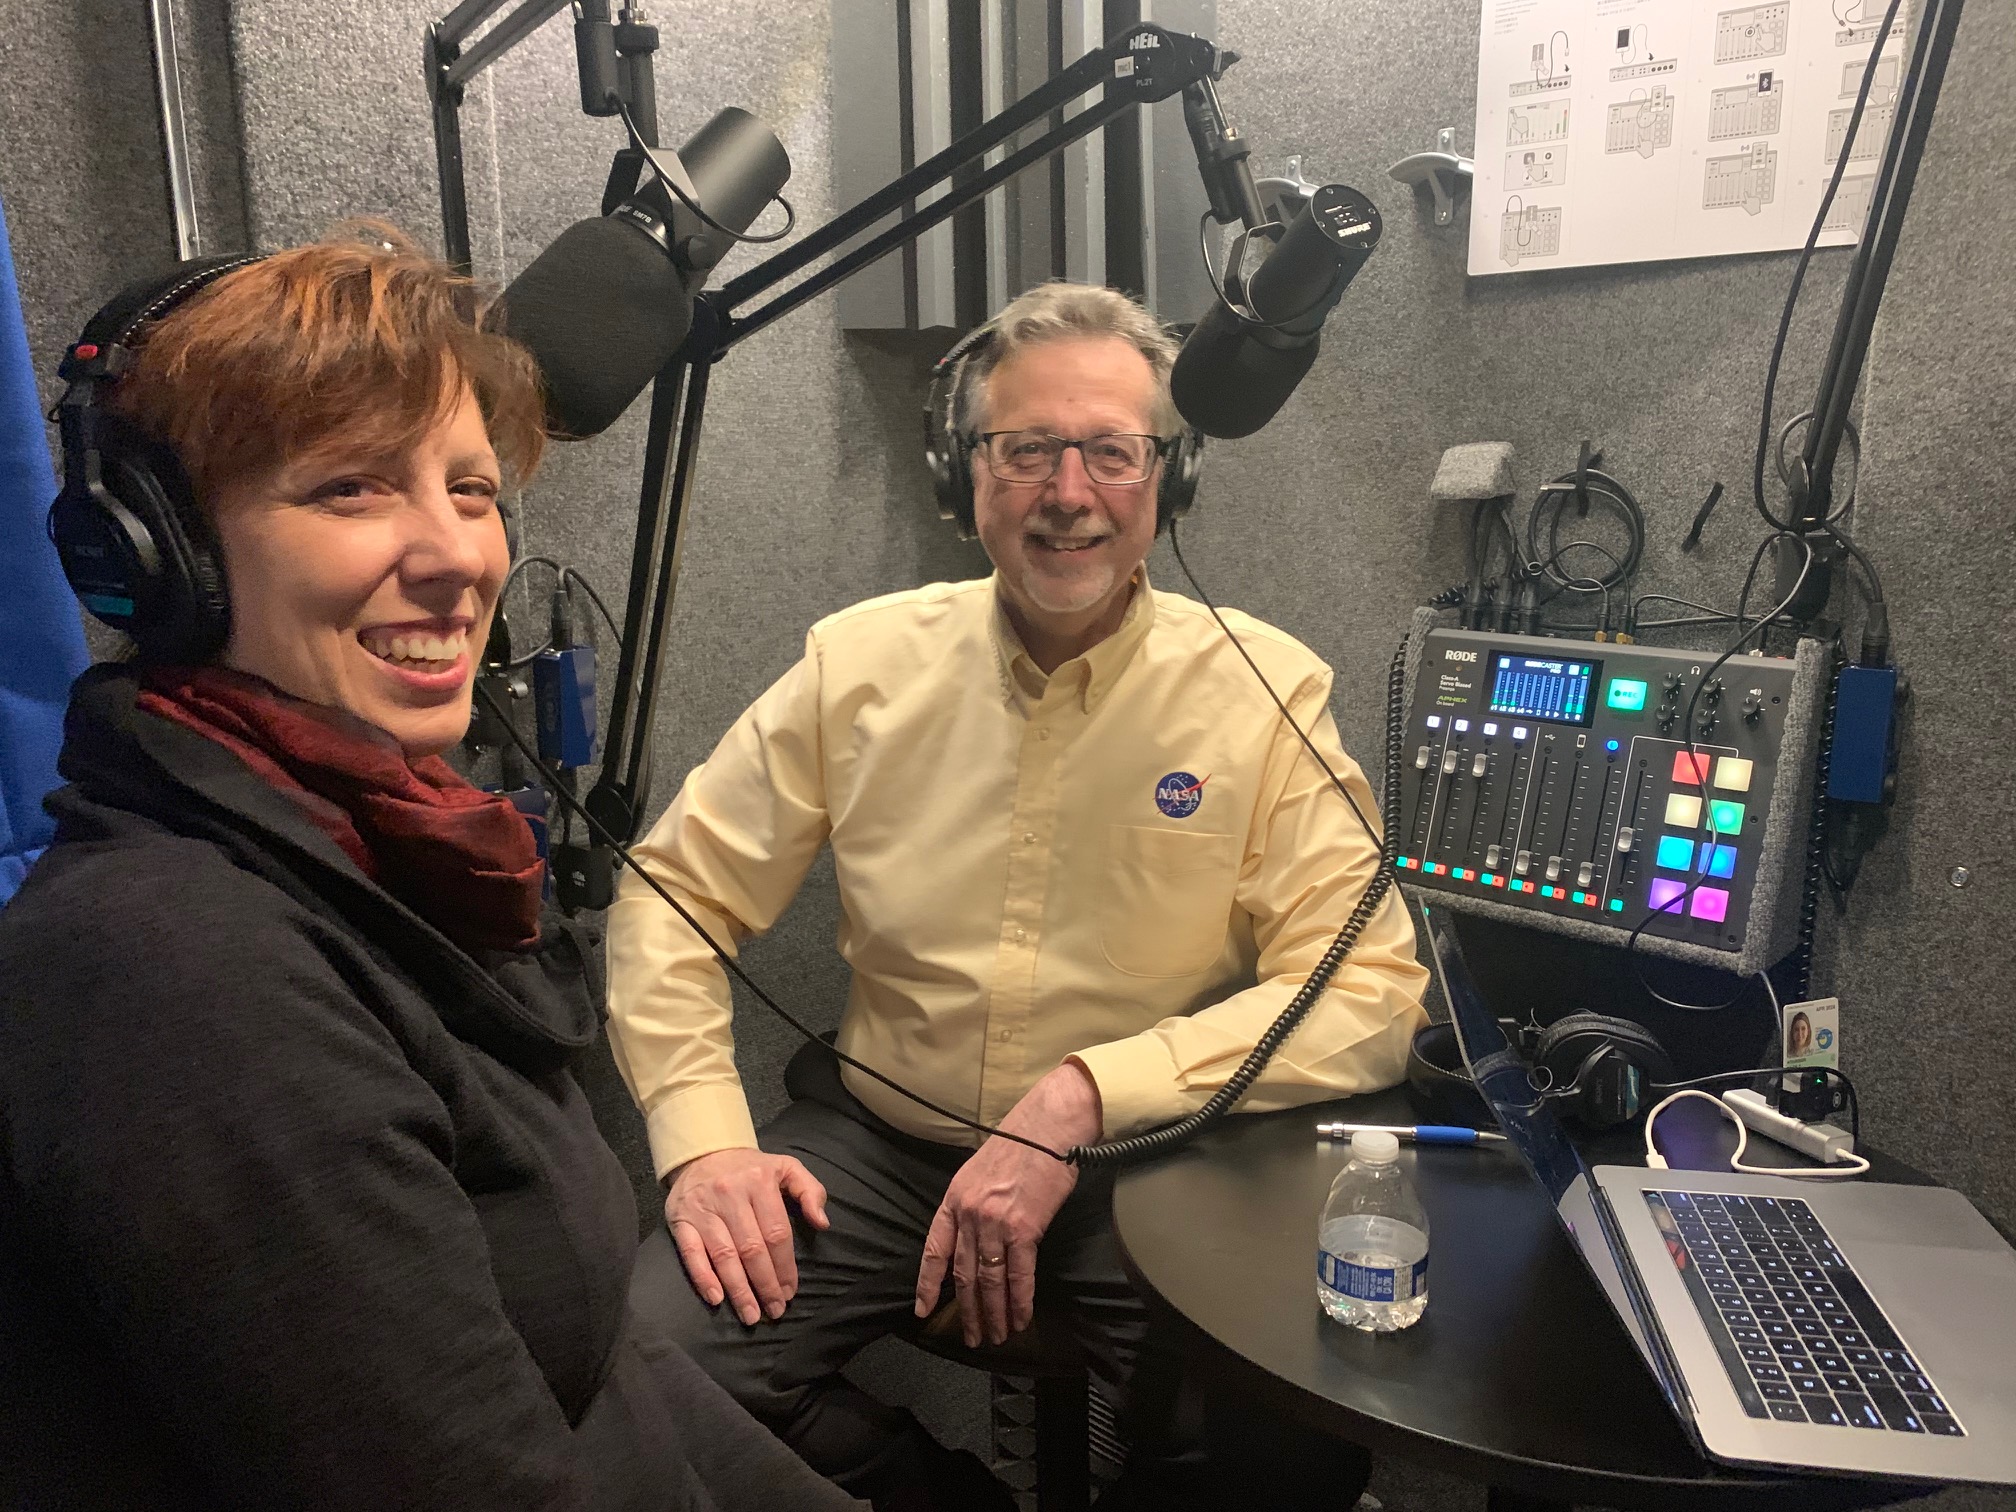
(1120, 1150)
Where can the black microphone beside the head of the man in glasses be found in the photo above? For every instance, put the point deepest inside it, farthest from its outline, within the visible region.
(1239, 368)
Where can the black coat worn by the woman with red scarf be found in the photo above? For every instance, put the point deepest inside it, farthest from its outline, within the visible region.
(299, 1203)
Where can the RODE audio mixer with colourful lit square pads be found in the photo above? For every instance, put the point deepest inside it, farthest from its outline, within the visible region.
(1557, 777)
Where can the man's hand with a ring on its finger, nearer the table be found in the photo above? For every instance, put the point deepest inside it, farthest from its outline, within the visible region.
(1001, 1205)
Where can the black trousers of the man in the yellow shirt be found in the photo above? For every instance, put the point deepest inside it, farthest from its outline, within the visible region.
(1190, 1448)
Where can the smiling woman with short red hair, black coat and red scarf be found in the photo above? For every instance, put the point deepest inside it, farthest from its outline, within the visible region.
(299, 1201)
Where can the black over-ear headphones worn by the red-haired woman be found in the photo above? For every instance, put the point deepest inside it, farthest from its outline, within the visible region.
(126, 525)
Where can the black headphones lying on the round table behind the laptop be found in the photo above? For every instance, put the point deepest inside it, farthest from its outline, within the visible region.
(1602, 1072)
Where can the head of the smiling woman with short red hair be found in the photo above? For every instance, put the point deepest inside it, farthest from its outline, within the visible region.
(346, 430)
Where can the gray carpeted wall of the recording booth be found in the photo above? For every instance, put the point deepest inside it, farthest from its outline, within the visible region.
(811, 495)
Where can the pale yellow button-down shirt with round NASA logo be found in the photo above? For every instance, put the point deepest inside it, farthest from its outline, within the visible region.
(1130, 862)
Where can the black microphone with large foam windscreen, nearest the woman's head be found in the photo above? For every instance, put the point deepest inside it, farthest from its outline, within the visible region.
(612, 301)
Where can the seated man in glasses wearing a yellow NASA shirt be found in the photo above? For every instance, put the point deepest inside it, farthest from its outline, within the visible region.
(1084, 864)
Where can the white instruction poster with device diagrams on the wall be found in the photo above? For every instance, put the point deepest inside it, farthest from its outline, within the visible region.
(1648, 130)
